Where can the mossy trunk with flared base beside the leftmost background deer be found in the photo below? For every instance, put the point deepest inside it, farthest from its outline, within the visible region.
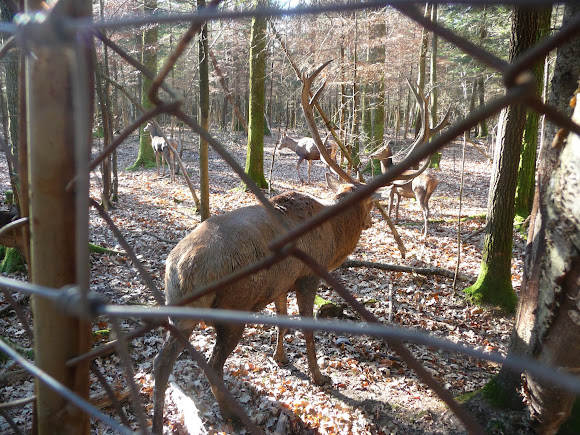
(146, 156)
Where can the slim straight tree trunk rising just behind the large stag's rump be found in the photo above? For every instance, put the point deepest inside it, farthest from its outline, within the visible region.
(203, 117)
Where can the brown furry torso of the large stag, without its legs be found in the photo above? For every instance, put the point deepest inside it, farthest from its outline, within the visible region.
(227, 243)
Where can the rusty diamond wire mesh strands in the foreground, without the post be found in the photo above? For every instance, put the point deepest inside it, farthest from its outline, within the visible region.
(80, 302)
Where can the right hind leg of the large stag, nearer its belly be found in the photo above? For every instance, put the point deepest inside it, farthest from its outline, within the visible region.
(228, 337)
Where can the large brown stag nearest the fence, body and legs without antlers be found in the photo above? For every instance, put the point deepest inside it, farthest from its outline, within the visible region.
(229, 242)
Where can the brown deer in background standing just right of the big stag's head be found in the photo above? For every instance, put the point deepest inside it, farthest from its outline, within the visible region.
(420, 187)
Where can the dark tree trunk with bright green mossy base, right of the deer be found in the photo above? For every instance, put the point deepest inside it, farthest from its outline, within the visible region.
(494, 284)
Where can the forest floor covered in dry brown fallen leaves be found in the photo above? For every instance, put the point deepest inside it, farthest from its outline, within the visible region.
(372, 391)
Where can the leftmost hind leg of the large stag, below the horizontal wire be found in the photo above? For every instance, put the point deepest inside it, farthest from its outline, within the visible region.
(162, 368)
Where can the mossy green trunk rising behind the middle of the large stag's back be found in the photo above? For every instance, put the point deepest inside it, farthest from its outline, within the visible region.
(255, 153)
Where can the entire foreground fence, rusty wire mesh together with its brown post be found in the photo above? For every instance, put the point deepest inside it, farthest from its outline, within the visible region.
(55, 44)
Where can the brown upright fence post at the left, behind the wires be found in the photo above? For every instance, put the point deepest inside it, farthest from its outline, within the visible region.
(52, 115)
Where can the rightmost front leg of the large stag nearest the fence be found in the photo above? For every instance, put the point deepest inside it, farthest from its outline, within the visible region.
(305, 294)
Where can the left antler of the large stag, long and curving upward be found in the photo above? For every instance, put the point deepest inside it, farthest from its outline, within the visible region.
(307, 106)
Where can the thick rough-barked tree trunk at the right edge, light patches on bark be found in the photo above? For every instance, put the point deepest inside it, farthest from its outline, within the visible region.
(539, 296)
